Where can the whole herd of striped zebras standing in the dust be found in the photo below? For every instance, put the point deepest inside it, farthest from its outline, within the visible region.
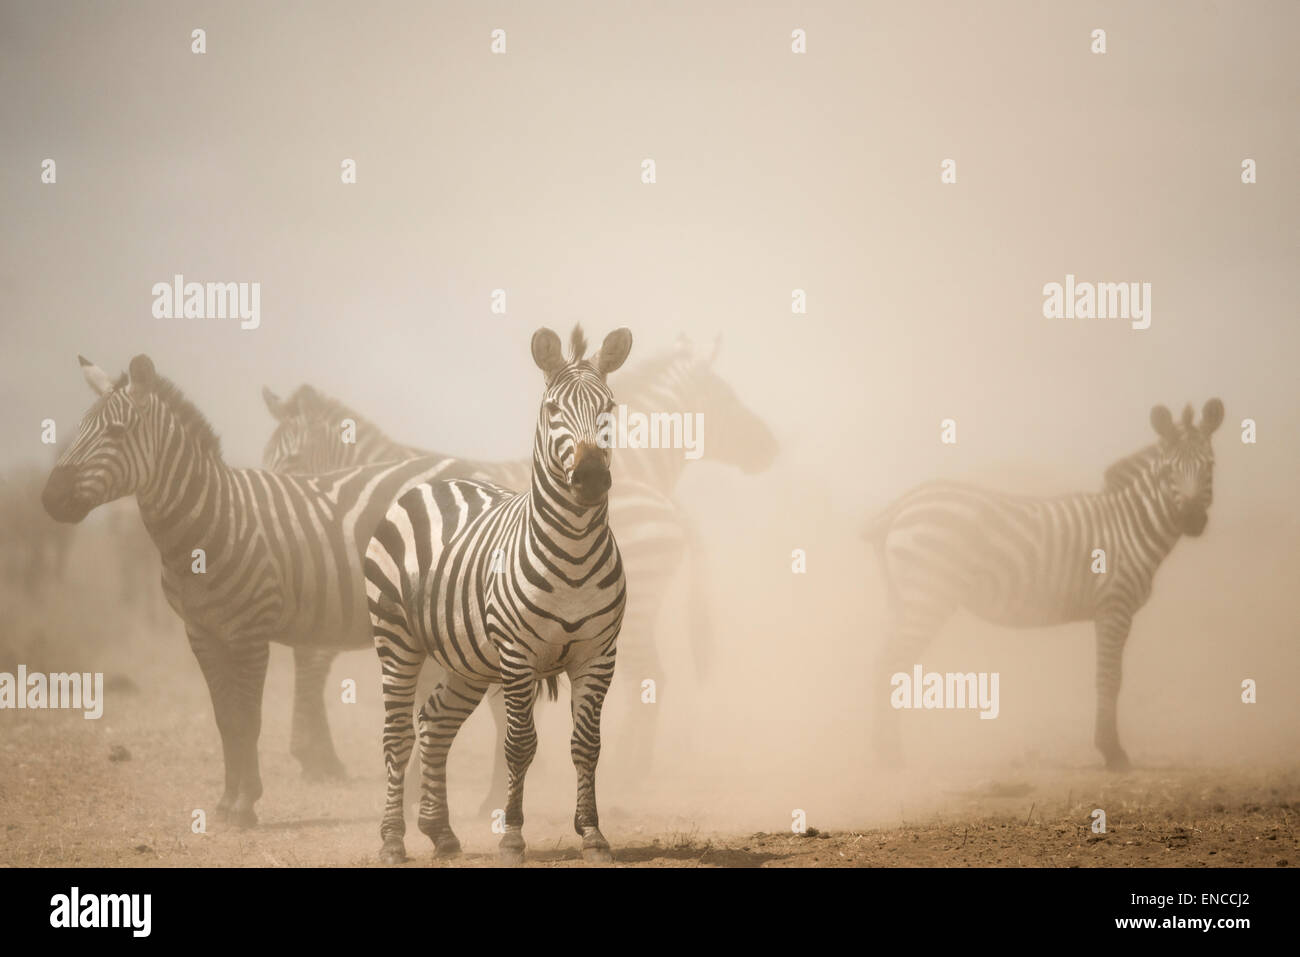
(509, 574)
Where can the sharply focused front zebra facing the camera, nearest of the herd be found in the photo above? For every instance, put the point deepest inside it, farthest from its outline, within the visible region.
(505, 588)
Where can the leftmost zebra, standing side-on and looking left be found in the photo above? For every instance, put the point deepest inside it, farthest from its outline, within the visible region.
(248, 556)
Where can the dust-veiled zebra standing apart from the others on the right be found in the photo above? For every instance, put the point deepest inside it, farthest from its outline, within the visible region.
(1029, 562)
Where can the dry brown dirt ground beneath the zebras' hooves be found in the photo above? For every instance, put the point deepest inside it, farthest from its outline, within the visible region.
(66, 803)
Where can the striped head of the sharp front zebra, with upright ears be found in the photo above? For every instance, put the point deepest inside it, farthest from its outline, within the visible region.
(577, 396)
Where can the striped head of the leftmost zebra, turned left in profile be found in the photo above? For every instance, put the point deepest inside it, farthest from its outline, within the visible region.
(135, 422)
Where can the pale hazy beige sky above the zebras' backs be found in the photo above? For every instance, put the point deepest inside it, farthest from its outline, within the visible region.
(775, 171)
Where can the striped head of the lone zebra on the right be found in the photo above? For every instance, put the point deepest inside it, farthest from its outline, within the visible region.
(1186, 465)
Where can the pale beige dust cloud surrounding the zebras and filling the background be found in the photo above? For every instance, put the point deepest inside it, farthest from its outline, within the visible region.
(775, 174)
